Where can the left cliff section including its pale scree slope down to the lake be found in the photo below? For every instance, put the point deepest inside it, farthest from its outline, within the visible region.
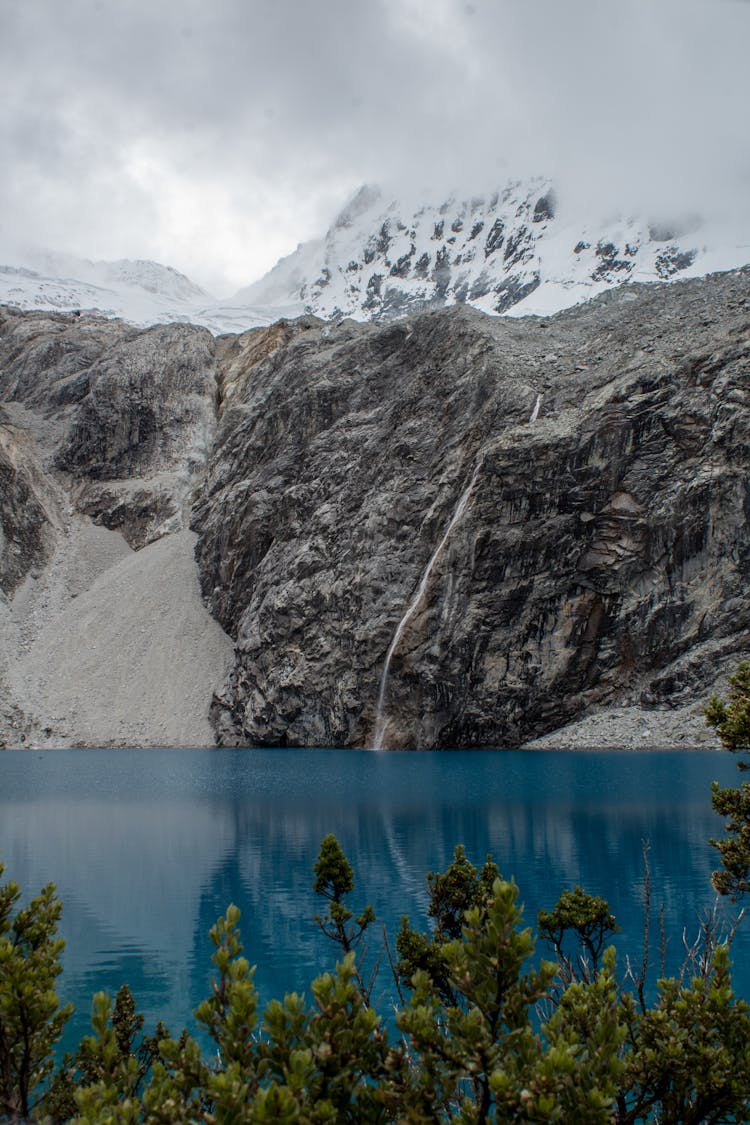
(102, 645)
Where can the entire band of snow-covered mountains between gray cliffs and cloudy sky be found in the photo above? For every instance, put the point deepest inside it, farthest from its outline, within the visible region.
(502, 253)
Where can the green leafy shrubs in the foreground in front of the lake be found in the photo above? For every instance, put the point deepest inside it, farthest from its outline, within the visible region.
(485, 1033)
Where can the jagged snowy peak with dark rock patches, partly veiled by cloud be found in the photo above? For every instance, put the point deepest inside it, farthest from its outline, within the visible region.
(512, 251)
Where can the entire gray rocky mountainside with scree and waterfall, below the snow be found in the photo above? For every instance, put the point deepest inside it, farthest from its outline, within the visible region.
(451, 530)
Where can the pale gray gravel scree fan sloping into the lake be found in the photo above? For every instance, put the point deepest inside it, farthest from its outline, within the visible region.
(112, 647)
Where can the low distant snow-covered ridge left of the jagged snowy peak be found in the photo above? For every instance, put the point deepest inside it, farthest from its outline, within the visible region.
(141, 292)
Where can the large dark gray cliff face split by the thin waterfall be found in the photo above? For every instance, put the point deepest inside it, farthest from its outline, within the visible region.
(603, 556)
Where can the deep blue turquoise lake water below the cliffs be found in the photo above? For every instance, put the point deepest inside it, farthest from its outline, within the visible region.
(148, 848)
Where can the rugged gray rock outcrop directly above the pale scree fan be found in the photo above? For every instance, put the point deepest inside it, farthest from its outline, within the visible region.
(133, 412)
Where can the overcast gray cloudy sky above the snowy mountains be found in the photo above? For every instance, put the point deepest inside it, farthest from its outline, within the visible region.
(215, 136)
